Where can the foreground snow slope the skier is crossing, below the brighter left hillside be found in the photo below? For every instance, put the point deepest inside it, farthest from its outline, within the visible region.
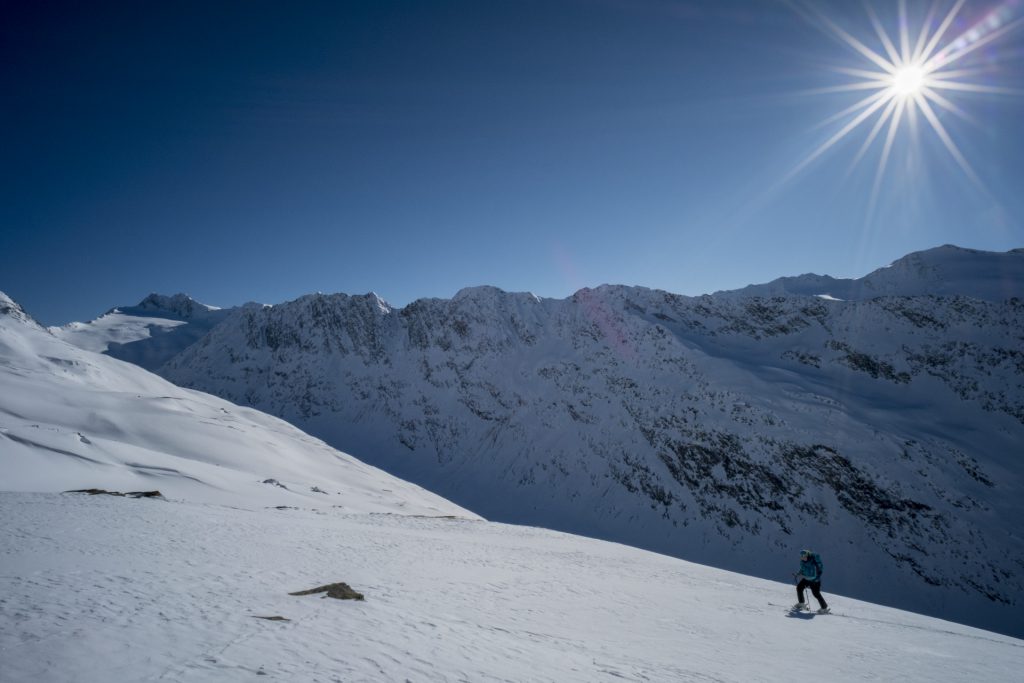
(111, 590)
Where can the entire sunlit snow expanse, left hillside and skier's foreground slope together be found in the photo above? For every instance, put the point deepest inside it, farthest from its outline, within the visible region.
(99, 588)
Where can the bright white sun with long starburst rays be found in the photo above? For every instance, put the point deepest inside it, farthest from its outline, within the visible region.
(916, 76)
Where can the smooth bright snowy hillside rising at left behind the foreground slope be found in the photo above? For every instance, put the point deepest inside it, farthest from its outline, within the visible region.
(75, 419)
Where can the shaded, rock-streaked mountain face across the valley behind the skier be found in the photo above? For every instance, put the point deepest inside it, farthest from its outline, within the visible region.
(729, 431)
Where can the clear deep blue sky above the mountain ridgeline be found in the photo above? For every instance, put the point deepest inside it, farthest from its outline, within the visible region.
(262, 151)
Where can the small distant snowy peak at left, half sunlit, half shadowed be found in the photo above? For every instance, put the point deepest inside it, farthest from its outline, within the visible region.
(148, 334)
